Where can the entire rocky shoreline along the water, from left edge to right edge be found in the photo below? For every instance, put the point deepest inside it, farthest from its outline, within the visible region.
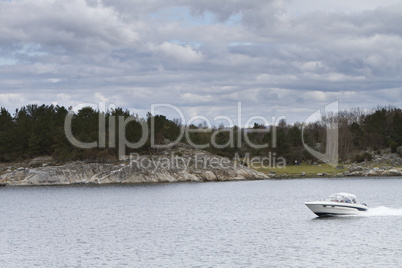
(180, 163)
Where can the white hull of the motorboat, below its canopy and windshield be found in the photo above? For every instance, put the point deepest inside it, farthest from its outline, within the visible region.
(334, 209)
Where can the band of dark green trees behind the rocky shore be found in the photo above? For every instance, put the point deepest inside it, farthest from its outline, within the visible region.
(38, 130)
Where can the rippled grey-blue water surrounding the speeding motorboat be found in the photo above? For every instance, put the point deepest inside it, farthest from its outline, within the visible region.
(219, 224)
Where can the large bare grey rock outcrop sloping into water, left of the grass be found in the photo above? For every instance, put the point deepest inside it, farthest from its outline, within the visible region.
(176, 164)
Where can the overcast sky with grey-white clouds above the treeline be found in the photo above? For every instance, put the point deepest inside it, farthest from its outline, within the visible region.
(277, 57)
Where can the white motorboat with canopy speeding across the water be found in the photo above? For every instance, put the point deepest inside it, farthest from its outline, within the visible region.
(337, 204)
